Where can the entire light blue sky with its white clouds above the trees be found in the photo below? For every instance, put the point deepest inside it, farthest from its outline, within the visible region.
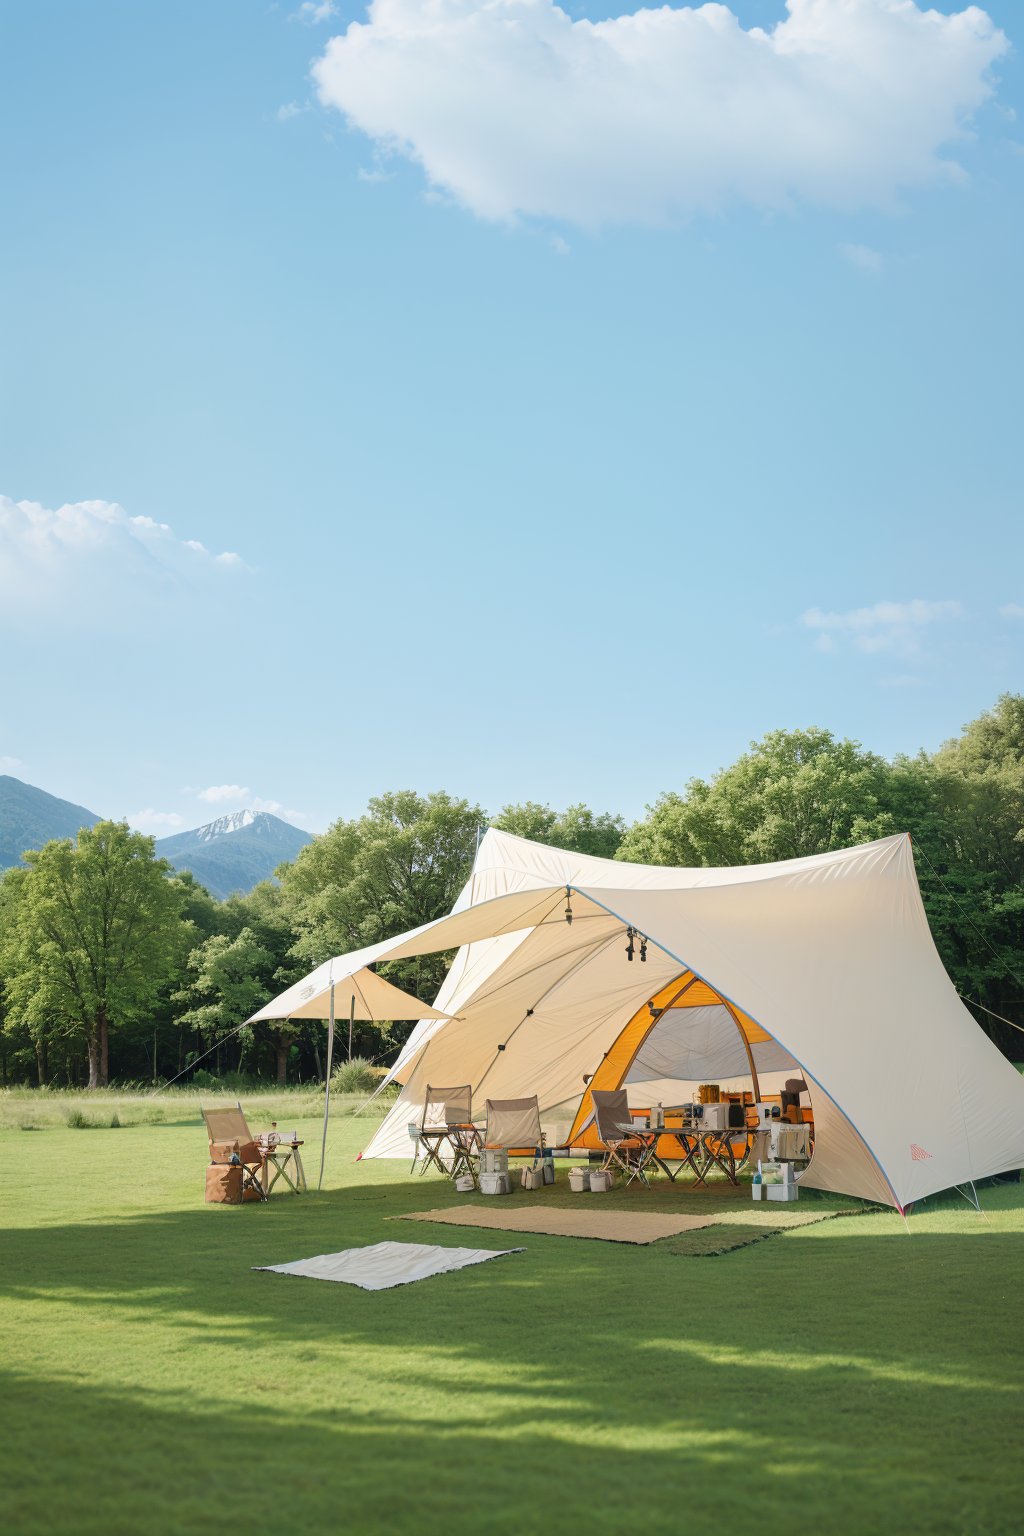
(612, 422)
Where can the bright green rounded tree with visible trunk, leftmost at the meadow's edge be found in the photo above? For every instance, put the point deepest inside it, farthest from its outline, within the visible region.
(97, 933)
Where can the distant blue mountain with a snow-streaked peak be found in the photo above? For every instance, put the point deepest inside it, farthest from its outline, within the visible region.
(234, 853)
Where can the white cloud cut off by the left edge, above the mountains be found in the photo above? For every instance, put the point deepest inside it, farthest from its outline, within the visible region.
(47, 552)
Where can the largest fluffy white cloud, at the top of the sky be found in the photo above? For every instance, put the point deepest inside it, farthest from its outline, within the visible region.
(517, 110)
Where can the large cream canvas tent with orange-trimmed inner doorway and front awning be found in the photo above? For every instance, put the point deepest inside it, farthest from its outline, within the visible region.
(822, 967)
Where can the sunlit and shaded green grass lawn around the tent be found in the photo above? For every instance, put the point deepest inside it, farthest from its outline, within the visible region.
(844, 1377)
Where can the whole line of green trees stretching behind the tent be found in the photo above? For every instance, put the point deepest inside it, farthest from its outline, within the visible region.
(116, 967)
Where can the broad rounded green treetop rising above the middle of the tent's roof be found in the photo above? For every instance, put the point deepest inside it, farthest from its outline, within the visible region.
(794, 793)
